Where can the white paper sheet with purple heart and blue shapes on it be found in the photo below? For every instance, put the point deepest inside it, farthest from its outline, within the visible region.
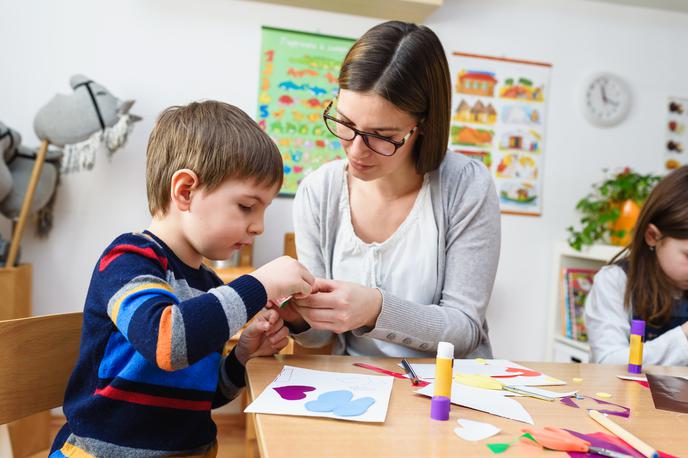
(361, 385)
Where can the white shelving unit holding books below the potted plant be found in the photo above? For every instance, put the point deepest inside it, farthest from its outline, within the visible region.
(559, 347)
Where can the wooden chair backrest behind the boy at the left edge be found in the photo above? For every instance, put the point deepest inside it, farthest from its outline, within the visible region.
(37, 355)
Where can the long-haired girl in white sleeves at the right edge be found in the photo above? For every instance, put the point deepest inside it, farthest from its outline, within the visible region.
(647, 281)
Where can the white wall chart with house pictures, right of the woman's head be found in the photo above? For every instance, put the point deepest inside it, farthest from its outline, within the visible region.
(498, 117)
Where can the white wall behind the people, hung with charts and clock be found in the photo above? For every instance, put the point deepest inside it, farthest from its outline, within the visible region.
(165, 52)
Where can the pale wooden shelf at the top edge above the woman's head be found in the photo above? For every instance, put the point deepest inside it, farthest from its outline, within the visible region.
(402, 10)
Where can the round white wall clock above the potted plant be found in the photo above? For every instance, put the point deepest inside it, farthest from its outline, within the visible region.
(607, 100)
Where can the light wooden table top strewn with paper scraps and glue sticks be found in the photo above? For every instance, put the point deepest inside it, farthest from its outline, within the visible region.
(409, 431)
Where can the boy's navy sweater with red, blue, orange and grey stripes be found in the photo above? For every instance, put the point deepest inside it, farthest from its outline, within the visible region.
(150, 366)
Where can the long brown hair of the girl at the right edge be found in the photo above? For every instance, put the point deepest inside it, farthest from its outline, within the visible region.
(648, 289)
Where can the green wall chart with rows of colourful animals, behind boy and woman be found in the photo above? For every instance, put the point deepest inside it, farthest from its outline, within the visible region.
(298, 77)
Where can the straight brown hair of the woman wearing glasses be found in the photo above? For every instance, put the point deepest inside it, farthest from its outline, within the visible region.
(406, 64)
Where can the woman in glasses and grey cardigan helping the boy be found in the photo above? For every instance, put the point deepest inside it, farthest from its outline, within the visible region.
(405, 236)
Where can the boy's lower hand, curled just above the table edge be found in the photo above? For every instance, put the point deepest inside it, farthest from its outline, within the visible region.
(264, 336)
